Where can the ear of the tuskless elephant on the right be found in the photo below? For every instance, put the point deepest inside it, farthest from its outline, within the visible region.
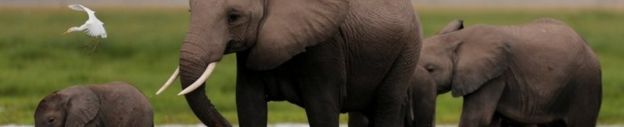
(478, 60)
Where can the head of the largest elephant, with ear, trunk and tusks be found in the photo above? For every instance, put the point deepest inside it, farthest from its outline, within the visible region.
(267, 32)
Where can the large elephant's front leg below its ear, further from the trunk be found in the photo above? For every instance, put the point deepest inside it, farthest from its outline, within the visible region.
(322, 82)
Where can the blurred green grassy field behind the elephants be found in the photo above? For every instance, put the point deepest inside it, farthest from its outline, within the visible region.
(142, 48)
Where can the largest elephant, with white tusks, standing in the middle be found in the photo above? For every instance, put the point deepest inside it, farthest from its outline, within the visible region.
(327, 56)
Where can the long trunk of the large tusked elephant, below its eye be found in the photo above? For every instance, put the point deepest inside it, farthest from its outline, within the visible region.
(198, 56)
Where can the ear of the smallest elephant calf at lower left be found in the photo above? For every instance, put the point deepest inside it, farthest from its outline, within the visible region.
(83, 106)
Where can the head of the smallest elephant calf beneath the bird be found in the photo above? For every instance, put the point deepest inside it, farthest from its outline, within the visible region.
(71, 107)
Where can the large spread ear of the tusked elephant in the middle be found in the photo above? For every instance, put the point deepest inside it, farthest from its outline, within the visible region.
(292, 25)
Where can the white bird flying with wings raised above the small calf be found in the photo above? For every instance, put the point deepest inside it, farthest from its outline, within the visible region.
(92, 27)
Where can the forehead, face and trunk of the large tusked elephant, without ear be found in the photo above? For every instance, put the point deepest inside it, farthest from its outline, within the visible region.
(203, 45)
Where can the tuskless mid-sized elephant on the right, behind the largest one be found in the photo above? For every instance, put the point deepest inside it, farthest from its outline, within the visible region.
(542, 72)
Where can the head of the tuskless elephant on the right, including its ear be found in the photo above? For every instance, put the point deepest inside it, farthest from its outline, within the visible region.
(462, 60)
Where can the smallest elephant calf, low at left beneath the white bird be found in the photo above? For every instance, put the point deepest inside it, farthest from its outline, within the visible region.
(114, 104)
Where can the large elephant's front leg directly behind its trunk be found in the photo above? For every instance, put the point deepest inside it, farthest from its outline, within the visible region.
(251, 101)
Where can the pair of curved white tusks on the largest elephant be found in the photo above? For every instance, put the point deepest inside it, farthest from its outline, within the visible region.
(191, 87)
